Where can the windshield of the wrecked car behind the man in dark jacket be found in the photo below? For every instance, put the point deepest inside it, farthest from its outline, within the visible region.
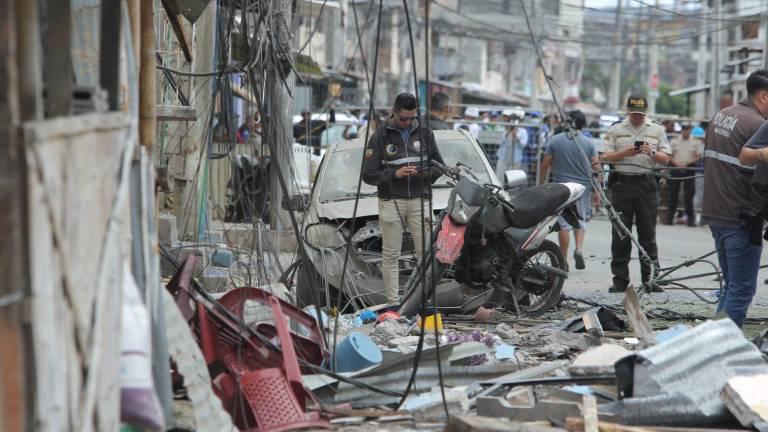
(341, 174)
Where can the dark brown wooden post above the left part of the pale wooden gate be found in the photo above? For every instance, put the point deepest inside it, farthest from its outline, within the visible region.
(58, 62)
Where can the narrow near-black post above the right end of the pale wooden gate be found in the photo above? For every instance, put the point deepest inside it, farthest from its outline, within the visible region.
(109, 52)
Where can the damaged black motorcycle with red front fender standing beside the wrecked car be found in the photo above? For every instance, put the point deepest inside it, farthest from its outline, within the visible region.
(496, 246)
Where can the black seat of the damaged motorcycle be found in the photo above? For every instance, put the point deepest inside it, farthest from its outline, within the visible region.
(534, 204)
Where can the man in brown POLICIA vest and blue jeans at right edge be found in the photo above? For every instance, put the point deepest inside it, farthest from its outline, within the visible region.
(732, 147)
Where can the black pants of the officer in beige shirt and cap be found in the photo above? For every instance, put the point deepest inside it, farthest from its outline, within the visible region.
(637, 202)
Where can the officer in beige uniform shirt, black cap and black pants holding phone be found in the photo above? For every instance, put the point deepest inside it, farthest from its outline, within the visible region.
(635, 146)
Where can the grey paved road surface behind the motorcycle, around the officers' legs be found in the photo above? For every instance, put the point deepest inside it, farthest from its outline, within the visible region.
(676, 244)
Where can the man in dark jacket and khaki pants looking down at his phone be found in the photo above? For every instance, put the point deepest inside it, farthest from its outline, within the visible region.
(396, 163)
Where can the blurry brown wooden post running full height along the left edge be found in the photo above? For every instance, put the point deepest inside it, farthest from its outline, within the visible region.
(15, 383)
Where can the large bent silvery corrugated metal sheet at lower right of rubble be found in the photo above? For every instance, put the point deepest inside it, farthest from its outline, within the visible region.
(679, 382)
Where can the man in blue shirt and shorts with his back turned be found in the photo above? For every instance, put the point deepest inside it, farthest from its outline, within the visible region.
(572, 160)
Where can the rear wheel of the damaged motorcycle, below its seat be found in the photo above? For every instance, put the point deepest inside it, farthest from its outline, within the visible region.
(541, 289)
